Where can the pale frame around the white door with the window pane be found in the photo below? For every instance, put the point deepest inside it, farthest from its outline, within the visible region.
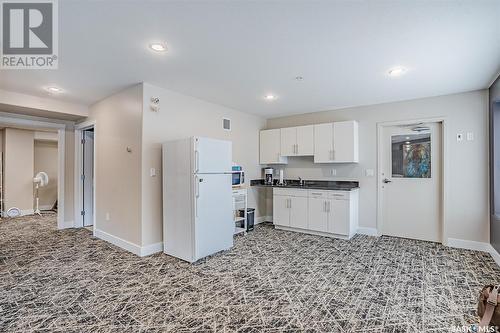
(444, 169)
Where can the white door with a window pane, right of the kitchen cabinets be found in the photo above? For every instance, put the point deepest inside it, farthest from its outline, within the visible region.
(411, 181)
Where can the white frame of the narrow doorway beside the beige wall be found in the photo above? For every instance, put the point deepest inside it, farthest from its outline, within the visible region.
(79, 128)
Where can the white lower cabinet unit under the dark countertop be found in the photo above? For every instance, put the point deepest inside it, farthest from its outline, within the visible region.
(329, 213)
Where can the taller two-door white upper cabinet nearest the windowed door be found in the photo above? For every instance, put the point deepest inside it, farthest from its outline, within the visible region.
(336, 142)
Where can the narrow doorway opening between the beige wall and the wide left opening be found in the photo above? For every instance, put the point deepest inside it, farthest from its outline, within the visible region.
(85, 166)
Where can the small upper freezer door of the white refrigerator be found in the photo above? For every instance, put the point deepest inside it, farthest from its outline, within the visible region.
(212, 155)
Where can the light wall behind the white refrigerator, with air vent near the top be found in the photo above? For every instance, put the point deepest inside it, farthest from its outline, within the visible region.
(181, 116)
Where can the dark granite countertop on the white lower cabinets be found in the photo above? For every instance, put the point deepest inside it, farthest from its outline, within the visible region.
(310, 184)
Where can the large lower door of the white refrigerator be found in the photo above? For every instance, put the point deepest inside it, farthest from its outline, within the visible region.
(214, 225)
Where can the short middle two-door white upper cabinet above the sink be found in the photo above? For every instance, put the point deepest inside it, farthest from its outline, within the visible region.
(297, 141)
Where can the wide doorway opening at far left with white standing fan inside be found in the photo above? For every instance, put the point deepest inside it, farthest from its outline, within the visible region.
(32, 168)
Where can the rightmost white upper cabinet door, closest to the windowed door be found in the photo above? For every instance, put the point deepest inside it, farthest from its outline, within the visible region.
(345, 141)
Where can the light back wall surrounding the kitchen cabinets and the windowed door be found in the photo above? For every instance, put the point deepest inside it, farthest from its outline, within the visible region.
(467, 214)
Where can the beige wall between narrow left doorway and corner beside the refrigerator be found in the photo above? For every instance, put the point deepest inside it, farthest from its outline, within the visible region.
(117, 172)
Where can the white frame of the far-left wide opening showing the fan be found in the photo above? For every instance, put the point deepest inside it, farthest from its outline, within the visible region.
(8, 120)
